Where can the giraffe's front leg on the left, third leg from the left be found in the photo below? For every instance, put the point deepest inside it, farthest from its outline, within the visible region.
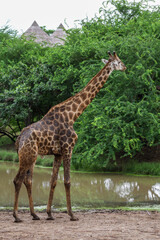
(56, 166)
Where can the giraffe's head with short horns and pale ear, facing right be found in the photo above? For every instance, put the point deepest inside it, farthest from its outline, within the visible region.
(115, 62)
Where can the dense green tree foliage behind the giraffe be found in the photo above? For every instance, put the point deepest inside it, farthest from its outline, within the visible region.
(124, 117)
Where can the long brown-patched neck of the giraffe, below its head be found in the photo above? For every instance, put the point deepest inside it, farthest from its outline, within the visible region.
(73, 107)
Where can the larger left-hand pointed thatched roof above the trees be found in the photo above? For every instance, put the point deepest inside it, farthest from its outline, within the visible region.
(35, 32)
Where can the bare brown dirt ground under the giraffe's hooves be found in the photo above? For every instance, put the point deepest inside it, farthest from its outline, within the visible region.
(92, 225)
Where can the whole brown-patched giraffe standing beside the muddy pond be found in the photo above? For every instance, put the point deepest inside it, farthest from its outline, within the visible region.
(54, 135)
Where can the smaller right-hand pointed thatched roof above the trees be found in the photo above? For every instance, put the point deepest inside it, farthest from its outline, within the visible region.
(59, 36)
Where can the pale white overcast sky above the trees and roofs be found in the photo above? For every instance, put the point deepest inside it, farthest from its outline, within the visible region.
(20, 14)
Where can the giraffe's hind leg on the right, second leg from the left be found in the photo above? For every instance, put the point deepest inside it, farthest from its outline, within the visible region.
(28, 183)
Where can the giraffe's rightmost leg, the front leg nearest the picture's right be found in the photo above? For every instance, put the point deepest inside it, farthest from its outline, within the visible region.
(67, 185)
